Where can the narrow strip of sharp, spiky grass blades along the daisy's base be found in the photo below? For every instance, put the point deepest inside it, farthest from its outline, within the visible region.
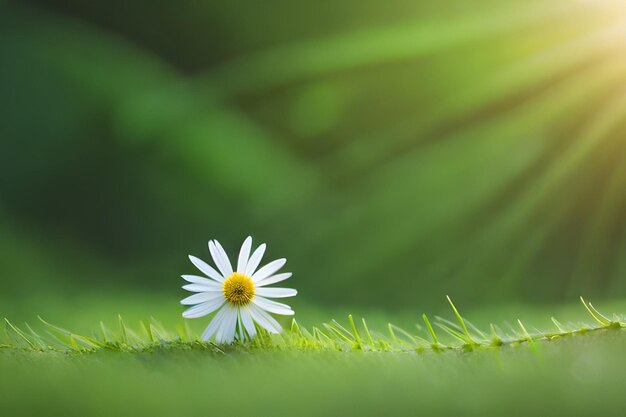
(333, 336)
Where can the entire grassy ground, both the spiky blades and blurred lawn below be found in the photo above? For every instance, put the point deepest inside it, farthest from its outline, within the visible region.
(439, 368)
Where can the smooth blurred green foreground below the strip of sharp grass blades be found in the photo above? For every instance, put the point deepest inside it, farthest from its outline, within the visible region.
(579, 376)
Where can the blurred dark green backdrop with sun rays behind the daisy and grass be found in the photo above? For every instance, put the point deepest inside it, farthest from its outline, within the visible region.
(393, 152)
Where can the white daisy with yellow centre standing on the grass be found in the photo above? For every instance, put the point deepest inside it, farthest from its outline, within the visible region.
(240, 295)
